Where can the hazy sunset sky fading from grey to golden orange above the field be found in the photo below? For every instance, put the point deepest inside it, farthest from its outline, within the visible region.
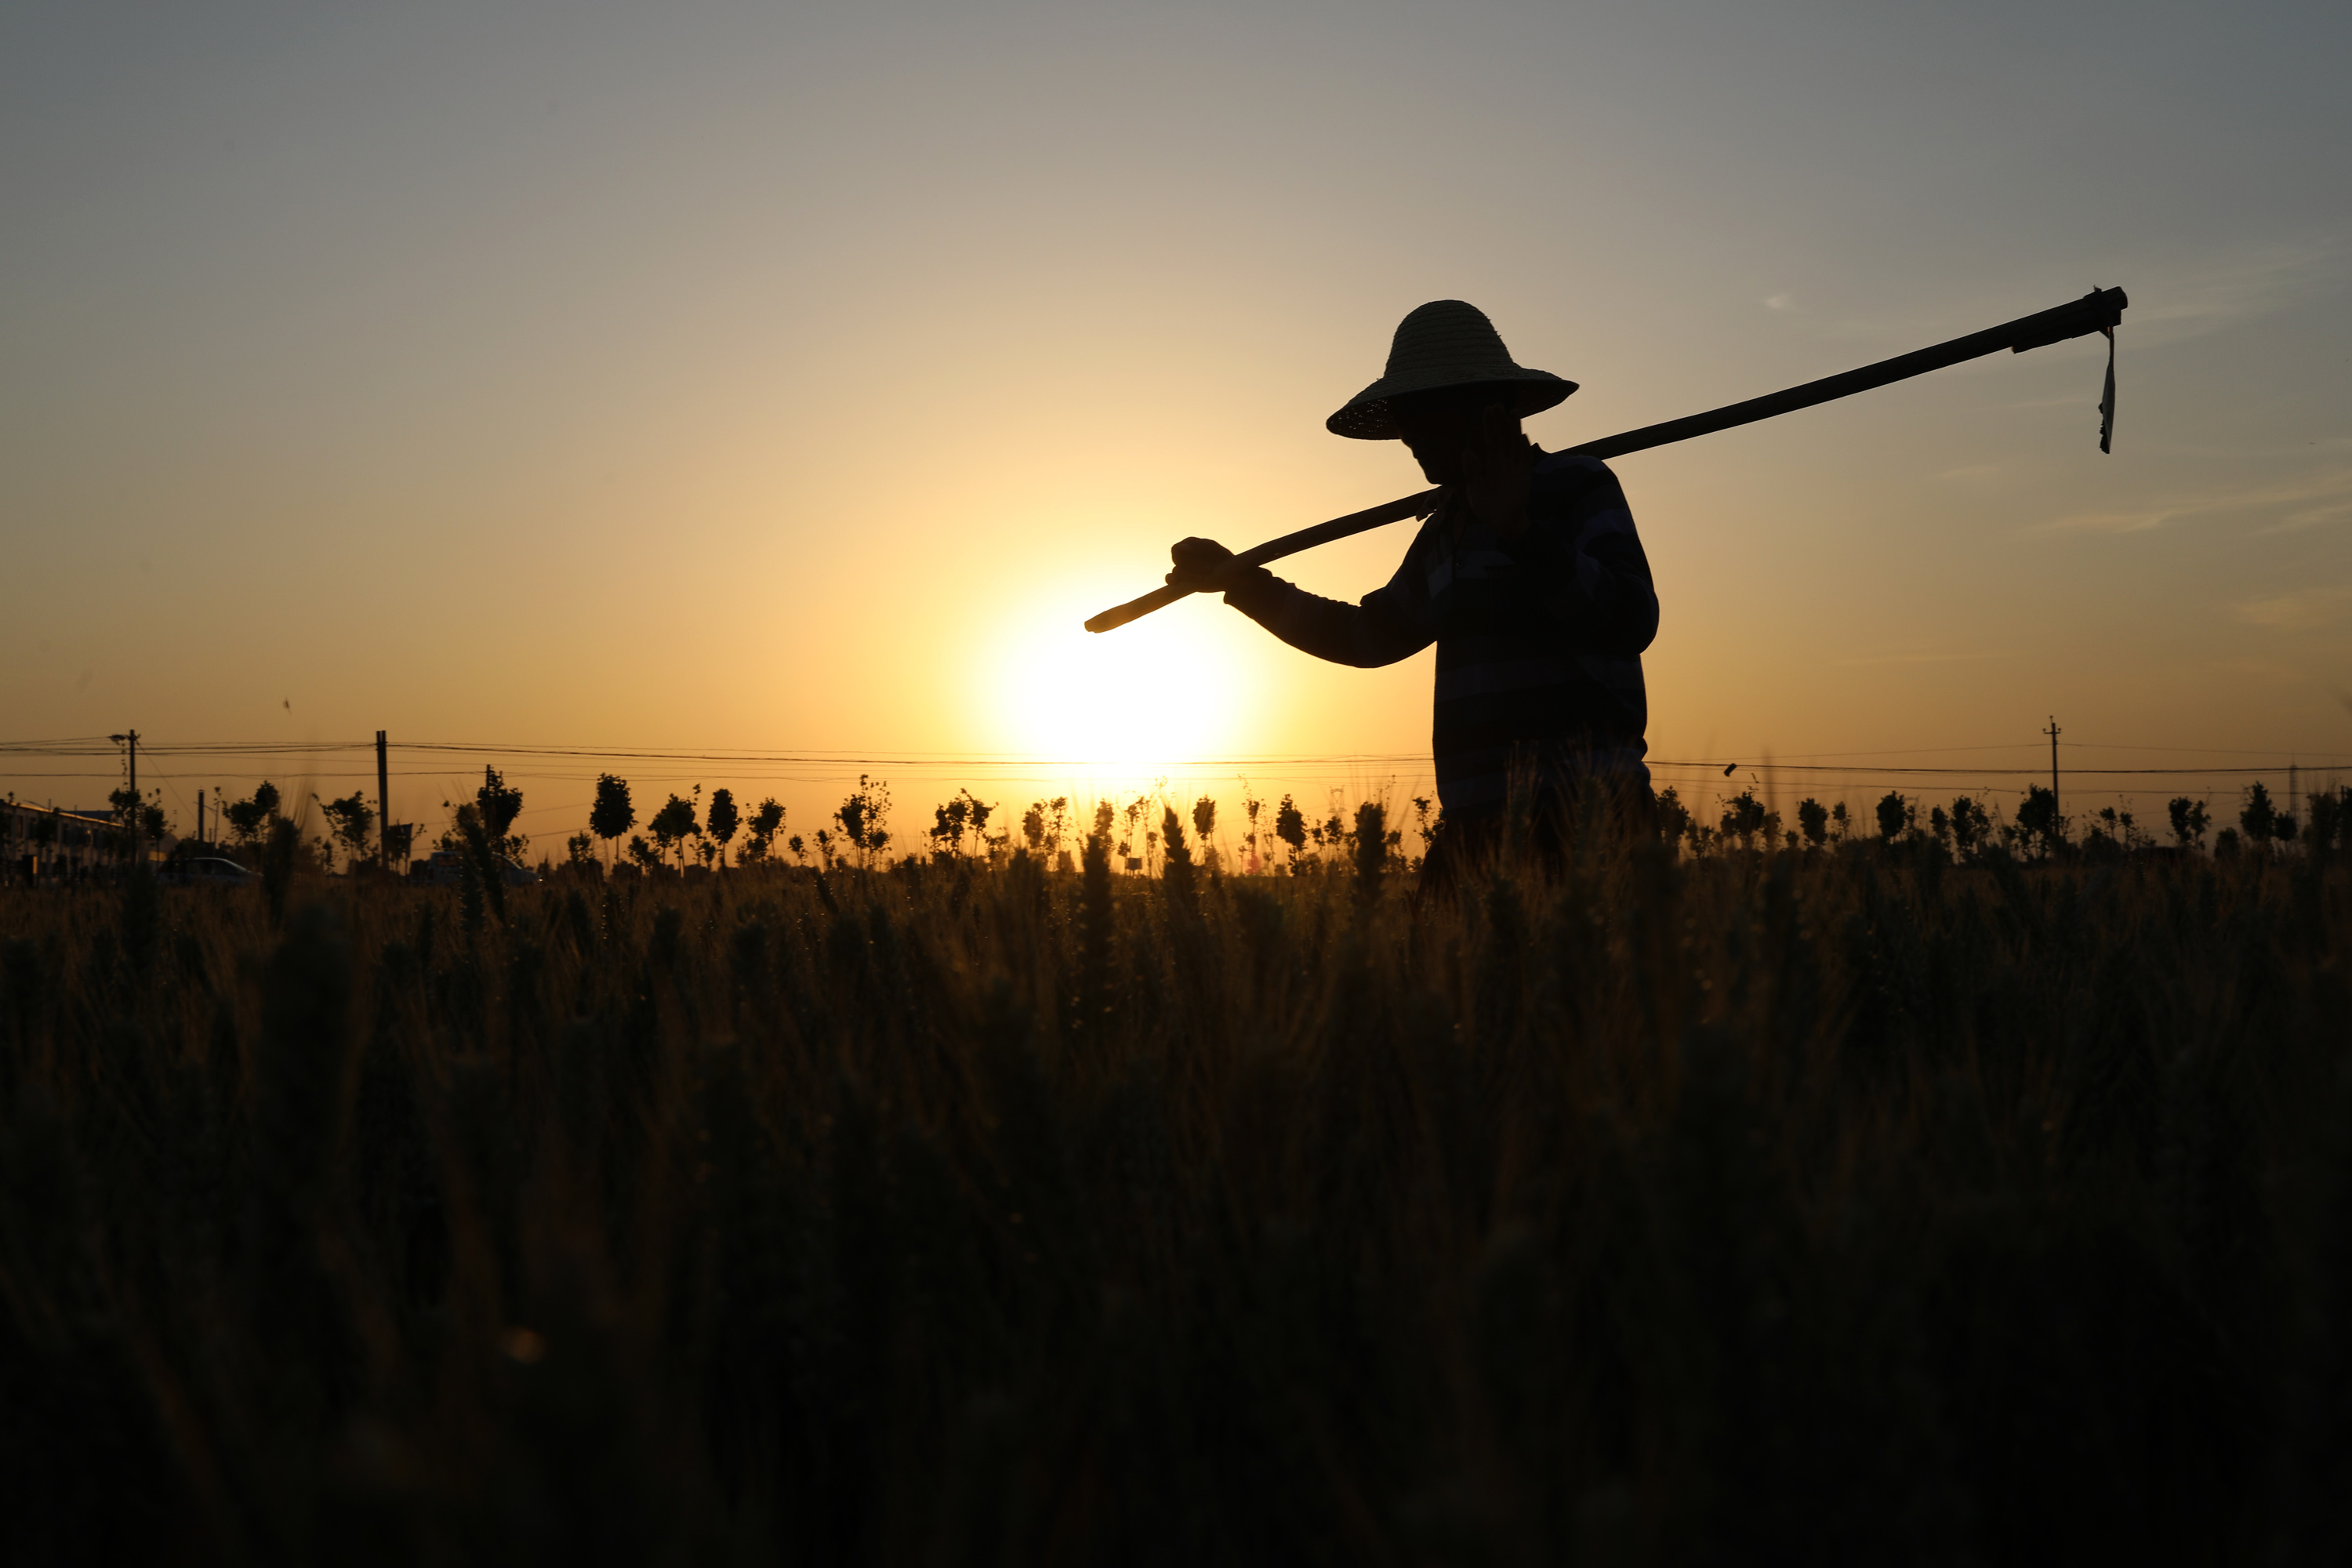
(796, 380)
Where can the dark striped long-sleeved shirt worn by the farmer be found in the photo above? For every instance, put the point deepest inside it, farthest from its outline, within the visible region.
(1539, 638)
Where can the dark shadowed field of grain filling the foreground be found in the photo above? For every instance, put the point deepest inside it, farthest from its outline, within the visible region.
(1833, 1207)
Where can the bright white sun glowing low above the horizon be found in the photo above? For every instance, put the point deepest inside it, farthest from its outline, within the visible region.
(1144, 699)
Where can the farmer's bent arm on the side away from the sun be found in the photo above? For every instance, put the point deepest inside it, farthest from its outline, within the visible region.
(1582, 561)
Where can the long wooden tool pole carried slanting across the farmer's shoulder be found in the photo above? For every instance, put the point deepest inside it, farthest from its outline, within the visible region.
(2097, 311)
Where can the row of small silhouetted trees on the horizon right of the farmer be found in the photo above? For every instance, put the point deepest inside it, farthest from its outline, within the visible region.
(1967, 829)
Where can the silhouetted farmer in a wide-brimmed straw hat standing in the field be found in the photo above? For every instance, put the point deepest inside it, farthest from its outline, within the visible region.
(1530, 582)
